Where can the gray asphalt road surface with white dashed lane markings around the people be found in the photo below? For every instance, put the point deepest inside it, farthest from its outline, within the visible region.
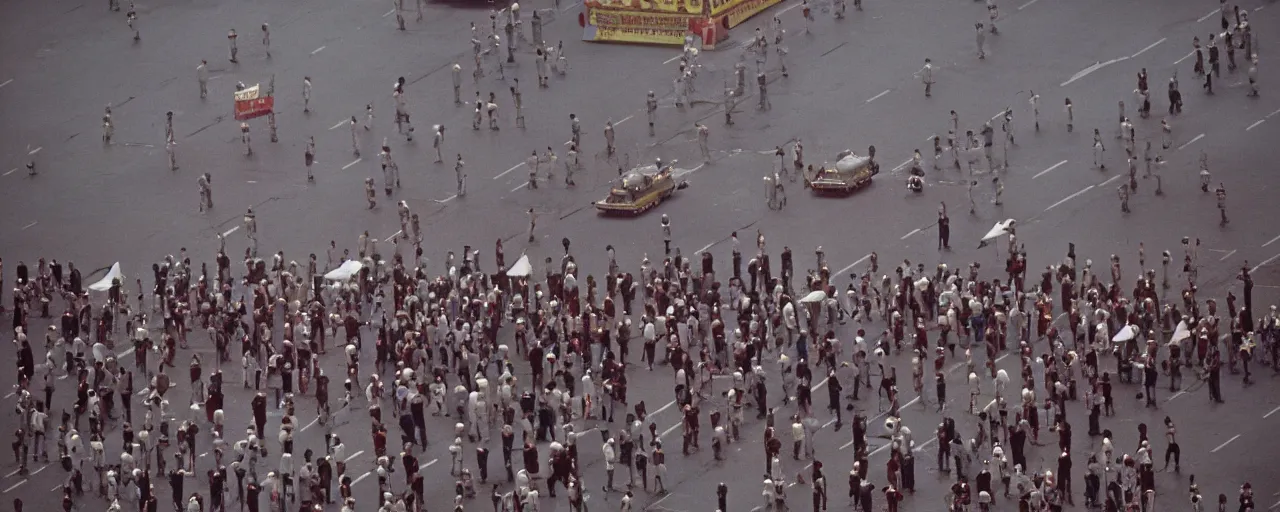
(851, 86)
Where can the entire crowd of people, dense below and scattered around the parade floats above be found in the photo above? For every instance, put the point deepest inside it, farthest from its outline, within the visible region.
(542, 362)
